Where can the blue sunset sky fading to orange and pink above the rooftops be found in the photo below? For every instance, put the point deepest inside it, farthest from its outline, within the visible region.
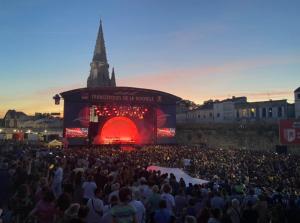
(195, 49)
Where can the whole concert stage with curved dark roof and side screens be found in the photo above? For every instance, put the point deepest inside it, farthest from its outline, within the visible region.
(119, 116)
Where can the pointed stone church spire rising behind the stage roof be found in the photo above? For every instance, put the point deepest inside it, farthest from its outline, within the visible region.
(99, 73)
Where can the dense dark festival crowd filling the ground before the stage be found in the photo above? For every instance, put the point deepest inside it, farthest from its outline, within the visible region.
(106, 184)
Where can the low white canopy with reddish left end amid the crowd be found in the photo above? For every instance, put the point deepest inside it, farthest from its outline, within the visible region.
(178, 173)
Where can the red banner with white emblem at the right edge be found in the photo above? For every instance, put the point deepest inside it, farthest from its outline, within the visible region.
(289, 132)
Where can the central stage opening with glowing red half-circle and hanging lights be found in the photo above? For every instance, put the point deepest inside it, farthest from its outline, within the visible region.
(122, 124)
